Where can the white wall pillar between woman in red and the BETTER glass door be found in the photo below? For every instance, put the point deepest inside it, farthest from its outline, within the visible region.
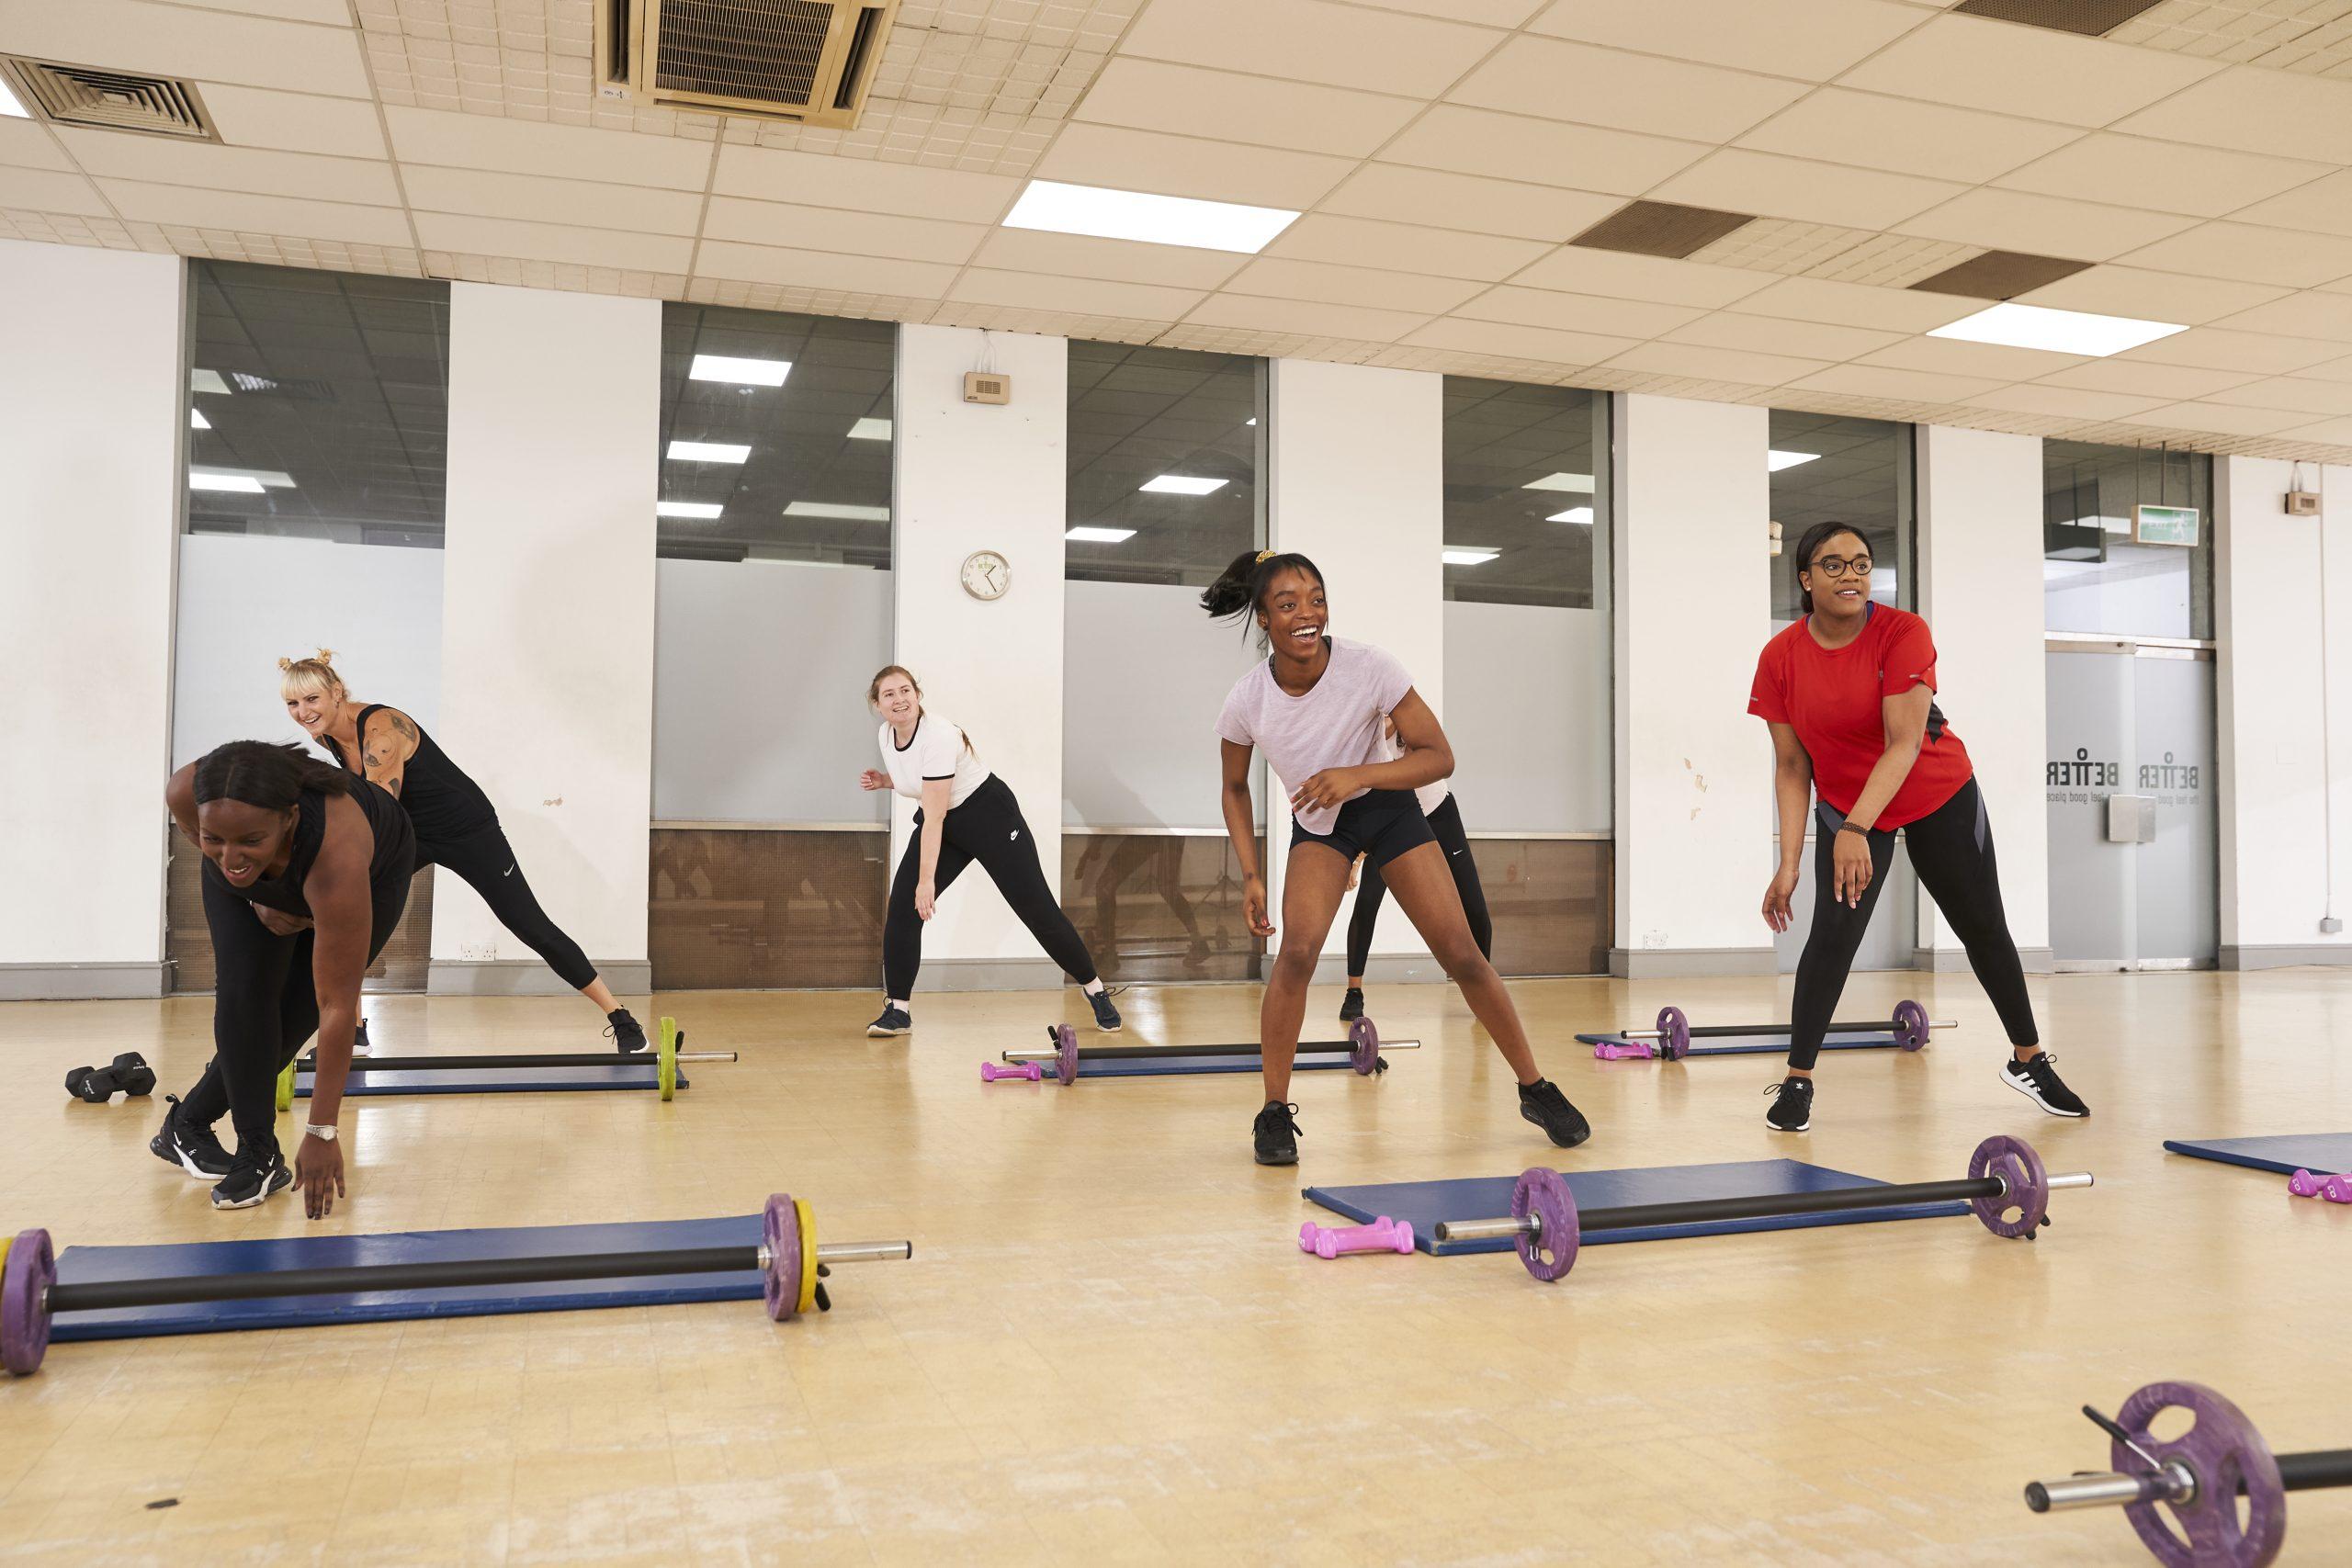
(1982, 594)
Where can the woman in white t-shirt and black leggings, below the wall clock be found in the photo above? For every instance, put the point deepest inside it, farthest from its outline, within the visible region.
(965, 815)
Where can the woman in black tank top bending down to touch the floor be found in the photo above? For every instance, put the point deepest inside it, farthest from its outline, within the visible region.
(305, 878)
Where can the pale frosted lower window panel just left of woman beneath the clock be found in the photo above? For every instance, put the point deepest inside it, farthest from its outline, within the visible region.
(761, 681)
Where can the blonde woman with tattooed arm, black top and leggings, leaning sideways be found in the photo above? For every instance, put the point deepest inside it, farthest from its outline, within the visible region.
(455, 822)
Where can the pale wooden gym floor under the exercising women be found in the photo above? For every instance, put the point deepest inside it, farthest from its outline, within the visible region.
(1111, 1351)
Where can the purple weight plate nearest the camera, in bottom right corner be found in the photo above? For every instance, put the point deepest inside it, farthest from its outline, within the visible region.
(2224, 1452)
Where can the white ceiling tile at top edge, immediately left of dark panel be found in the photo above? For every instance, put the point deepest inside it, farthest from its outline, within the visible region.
(1808, 39)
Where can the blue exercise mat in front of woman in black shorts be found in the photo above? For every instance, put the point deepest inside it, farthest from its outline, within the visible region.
(1488, 1198)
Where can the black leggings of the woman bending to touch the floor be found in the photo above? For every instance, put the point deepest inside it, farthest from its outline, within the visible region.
(265, 1007)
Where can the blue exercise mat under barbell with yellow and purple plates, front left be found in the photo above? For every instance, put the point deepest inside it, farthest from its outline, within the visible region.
(91, 1264)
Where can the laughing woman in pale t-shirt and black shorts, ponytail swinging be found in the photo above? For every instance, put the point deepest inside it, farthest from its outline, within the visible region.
(1316, 711)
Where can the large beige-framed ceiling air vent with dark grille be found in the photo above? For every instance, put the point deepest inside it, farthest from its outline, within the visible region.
(777, 60)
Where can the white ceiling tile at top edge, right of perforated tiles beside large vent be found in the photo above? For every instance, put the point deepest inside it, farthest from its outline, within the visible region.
(1309, 41)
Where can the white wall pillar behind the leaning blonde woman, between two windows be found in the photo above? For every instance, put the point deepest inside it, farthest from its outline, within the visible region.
(549, 615)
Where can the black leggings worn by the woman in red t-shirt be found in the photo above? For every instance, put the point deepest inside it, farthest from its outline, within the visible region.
(1951, 847)
